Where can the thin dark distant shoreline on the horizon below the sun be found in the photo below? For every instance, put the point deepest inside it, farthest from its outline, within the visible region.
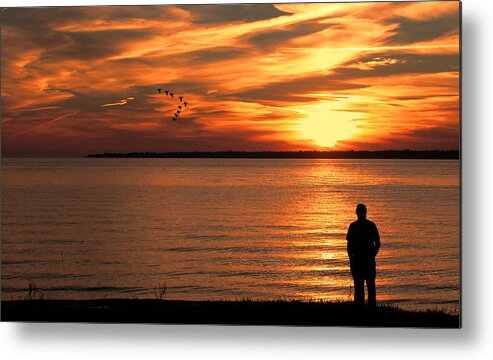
(383, 154)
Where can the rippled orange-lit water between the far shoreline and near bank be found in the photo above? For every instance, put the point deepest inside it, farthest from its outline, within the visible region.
(227, 228)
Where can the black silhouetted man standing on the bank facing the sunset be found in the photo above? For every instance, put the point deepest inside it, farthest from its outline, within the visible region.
(363, 243)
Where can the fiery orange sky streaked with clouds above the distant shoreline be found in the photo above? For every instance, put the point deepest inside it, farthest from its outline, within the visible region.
(281, 77)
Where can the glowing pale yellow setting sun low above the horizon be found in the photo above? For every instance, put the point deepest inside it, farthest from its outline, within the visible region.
(325, 126)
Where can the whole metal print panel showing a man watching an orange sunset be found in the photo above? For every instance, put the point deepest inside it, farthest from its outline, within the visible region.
(278, 164)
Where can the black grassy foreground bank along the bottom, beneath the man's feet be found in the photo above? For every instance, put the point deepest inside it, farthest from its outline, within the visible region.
(221, 312)
